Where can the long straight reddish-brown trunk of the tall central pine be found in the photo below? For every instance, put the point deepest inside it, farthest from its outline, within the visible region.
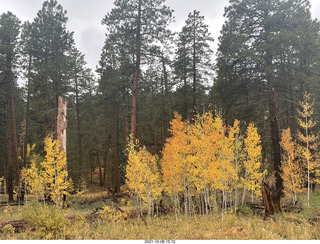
(136, 75)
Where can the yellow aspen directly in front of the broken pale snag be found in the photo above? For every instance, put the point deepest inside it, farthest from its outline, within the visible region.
(53, 171)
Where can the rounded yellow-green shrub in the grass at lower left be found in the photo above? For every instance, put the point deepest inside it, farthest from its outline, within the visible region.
(48, 219)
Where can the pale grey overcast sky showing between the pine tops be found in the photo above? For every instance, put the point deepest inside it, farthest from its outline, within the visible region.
(85, 18)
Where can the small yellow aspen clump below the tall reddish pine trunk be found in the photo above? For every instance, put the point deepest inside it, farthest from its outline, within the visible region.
(142, 176)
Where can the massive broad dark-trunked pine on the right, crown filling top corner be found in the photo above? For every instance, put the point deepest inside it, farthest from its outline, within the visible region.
(259, 47)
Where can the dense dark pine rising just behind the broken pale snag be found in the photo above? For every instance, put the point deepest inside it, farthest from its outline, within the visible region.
(50, 42)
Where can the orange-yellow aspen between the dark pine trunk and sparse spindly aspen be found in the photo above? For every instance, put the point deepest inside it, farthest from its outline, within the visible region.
(292, 173)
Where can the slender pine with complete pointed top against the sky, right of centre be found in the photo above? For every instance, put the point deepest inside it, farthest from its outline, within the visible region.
(193, 62)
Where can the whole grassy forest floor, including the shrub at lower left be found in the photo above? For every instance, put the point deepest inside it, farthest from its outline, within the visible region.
(84, 219)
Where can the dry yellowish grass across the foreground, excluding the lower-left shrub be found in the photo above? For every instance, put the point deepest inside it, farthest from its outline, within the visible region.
(166, 227)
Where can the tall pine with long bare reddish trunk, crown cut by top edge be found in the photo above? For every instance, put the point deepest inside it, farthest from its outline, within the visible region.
(141, 22)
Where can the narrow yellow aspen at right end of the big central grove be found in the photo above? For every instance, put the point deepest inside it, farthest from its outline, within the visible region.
(252, 163)
